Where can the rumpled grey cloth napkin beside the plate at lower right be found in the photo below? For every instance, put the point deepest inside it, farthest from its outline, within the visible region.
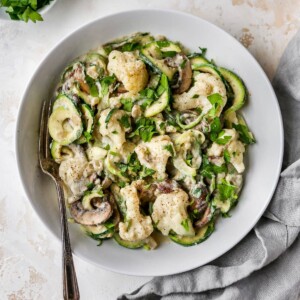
(265, 264)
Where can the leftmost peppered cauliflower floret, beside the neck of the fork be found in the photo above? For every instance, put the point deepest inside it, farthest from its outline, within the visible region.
(76, 172)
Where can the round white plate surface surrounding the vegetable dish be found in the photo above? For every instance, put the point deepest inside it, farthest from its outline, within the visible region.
(263, 159)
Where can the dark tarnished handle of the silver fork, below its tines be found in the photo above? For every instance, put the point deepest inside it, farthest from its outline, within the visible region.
(70, 285)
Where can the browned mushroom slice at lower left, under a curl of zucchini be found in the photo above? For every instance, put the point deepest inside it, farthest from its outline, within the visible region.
(91, 217)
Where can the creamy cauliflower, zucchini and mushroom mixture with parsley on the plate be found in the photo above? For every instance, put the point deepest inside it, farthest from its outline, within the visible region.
(149, 139)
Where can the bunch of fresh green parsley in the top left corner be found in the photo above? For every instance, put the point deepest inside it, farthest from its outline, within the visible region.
(24, 10)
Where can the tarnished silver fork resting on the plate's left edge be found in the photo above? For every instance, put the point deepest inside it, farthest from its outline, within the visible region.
(50, 167)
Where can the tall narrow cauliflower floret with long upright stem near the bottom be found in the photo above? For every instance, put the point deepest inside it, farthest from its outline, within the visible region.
(137, 227)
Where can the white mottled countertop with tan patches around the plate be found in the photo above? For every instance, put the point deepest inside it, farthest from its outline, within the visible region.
(30, 258)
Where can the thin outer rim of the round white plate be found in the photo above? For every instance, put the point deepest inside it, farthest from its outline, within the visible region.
(153, 10)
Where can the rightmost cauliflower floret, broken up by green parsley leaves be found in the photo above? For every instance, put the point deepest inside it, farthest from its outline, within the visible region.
(234, 147)
